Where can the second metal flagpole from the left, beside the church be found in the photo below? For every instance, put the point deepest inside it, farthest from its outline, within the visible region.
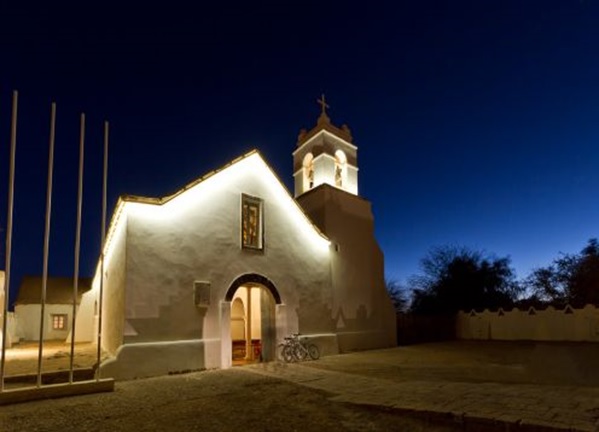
(46, 242)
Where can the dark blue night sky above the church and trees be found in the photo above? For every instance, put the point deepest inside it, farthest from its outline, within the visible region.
(477, 122)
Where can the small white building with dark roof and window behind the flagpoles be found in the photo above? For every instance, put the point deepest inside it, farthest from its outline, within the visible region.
(58, 310)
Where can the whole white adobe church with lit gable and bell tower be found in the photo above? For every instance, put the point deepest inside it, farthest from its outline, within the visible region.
(231, 263)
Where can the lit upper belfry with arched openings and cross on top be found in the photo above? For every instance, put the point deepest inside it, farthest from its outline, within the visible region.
(325, 155)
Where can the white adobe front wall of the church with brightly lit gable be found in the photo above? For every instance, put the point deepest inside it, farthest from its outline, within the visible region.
(196, 237)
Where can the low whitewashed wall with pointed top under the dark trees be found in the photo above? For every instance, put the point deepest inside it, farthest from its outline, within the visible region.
(548, 324)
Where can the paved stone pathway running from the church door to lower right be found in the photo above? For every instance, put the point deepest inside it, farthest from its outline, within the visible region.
(498, 406)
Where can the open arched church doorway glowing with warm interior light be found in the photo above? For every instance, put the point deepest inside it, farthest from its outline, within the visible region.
(249, 320)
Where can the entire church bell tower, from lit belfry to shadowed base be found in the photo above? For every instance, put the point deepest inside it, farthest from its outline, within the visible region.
(326, 187)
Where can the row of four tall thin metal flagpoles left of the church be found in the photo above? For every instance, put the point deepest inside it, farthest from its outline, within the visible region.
(9, 230)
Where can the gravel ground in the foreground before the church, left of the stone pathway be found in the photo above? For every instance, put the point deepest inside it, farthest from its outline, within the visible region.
(220, 400)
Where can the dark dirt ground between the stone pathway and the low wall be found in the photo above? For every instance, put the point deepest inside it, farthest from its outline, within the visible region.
(525, 362)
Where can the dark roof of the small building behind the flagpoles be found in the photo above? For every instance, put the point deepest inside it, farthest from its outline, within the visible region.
(59, 290)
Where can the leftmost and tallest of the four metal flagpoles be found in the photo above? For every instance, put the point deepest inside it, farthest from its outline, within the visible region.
(11, 187)
